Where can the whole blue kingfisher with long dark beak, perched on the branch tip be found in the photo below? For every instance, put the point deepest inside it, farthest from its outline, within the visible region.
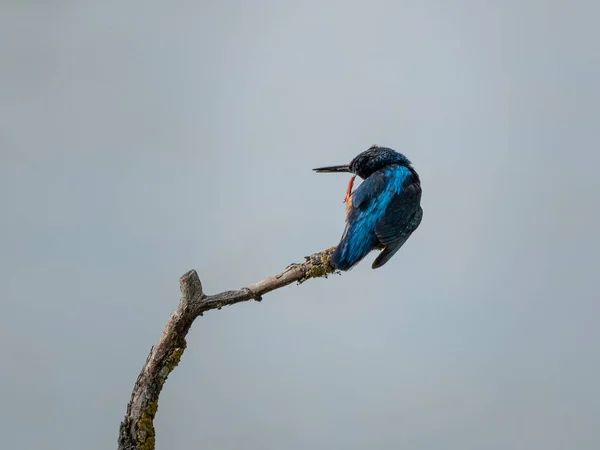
(383, 211)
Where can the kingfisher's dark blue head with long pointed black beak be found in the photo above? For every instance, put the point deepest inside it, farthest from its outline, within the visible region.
(369, 162)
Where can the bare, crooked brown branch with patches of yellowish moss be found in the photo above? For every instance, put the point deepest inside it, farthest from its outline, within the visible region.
(137, 429)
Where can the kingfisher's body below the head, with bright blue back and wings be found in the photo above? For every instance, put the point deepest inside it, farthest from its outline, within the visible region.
(384, 211)
